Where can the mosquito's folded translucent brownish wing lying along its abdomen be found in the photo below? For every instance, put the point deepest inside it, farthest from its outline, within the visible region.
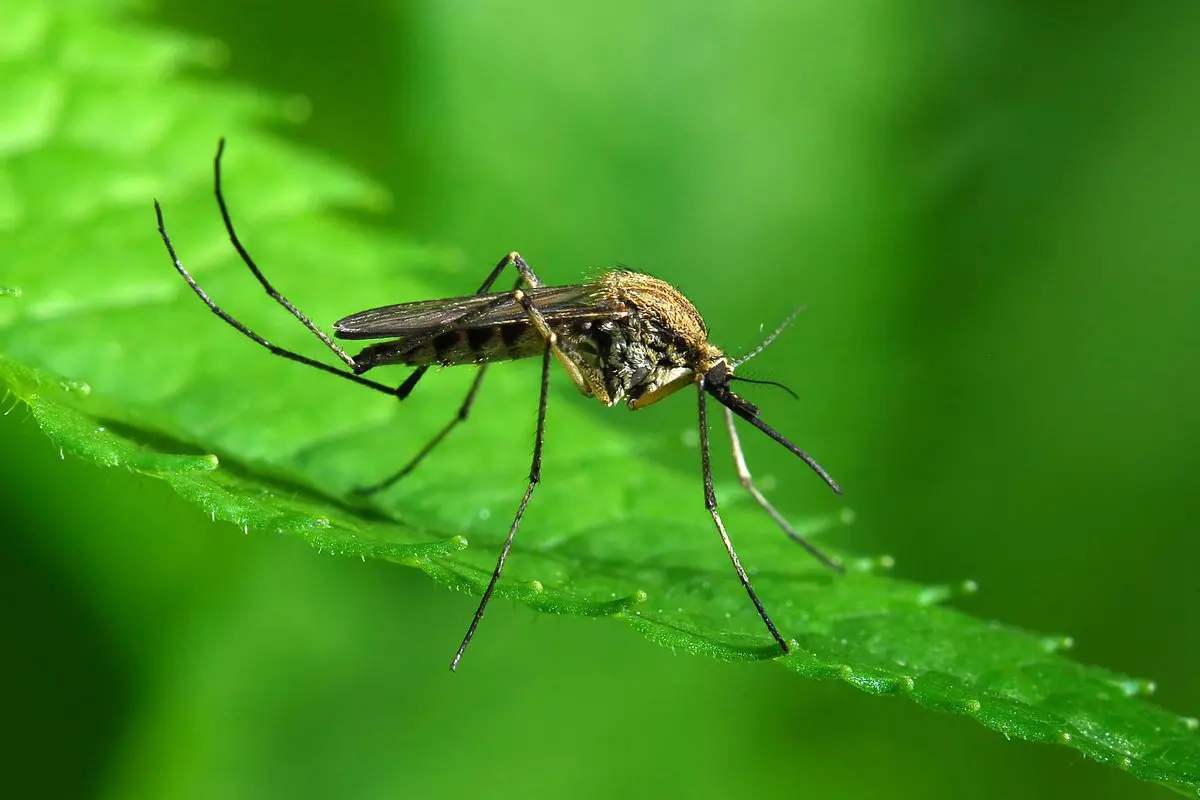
(473, 312)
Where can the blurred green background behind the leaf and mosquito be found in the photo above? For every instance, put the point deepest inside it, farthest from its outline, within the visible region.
(989, 212)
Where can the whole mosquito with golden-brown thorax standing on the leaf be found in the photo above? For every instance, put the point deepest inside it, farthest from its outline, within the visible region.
(625, 336)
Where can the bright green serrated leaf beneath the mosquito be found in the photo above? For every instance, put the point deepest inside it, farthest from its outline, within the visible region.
(123, 366)
